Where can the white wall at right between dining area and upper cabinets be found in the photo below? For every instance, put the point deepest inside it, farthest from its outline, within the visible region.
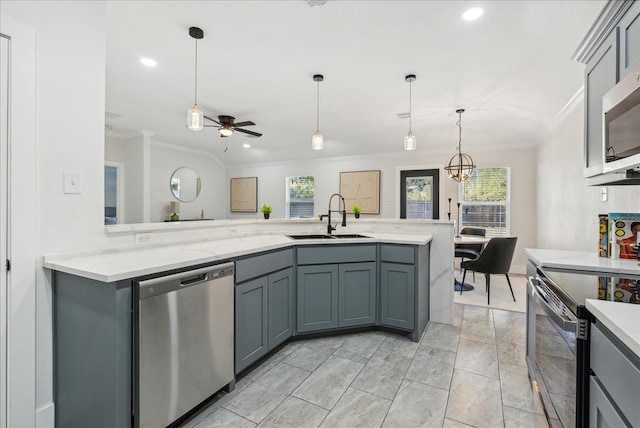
(567, 209)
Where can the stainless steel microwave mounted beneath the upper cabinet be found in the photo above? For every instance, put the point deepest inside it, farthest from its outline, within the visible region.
(621, 124)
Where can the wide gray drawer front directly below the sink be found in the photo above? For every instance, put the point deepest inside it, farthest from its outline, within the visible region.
(336, 254)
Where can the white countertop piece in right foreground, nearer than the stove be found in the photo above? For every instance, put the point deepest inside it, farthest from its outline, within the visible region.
(621, 319)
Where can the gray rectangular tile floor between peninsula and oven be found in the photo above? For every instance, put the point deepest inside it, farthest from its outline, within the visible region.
(471, 374)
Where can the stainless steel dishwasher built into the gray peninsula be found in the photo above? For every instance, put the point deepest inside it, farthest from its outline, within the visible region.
(185, 341)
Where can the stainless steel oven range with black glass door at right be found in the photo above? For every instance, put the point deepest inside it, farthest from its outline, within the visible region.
(558, 336)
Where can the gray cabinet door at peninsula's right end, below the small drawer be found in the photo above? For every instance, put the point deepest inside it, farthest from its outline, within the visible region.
(397, 290)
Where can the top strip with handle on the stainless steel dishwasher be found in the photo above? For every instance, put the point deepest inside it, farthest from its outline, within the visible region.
(166, 284)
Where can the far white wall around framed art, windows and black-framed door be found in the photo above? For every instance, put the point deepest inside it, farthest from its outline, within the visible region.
(271, 185)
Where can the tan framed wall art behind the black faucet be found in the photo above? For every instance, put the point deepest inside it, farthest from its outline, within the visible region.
(362, 188)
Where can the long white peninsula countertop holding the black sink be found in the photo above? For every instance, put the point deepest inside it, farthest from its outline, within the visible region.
(110, 266)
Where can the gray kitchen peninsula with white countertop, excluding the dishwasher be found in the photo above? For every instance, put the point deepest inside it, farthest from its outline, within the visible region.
(95, 294)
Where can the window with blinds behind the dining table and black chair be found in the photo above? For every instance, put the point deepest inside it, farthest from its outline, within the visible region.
(484, 201)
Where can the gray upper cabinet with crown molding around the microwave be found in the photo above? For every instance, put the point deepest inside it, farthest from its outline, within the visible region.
(611, 51)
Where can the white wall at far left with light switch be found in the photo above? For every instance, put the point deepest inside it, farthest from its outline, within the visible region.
(70, 68)
